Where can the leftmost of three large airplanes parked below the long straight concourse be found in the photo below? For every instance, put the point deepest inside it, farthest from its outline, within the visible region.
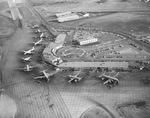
(46, 75)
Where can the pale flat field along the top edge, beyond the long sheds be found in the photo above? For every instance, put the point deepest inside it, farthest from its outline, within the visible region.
(94, 5)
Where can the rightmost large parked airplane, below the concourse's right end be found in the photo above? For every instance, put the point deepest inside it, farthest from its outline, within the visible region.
(109, 80)
